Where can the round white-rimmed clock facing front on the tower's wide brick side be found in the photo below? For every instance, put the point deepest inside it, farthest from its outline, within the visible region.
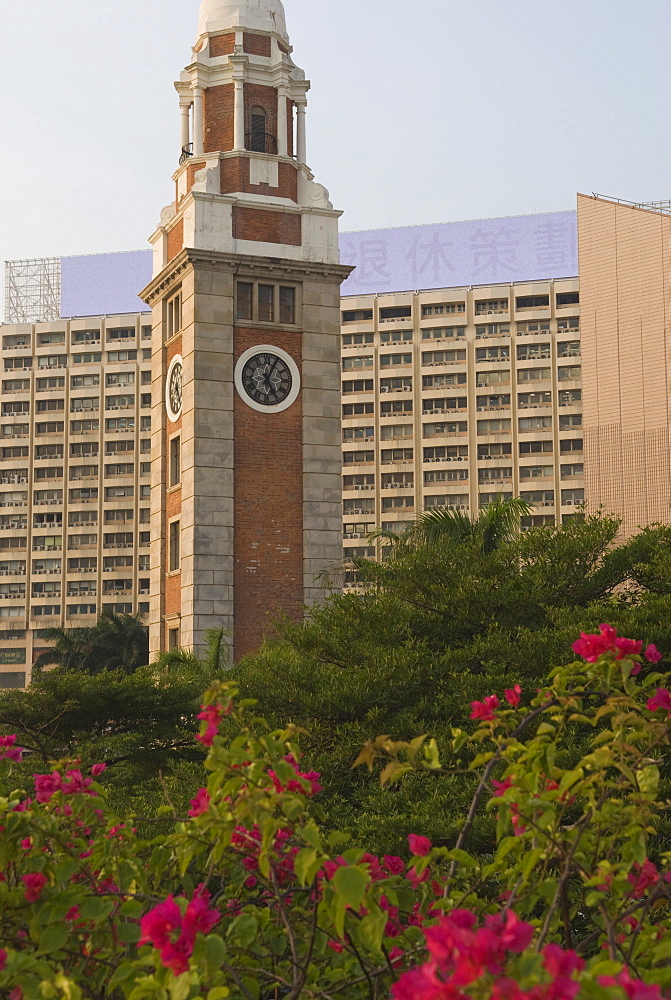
(267, 378)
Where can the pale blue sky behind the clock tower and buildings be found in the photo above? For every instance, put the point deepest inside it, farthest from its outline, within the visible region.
(429, 111)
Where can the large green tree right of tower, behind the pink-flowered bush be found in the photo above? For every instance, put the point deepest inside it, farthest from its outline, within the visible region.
(435, 627)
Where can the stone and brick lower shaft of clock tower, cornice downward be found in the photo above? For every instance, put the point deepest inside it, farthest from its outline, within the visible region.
(258, 502)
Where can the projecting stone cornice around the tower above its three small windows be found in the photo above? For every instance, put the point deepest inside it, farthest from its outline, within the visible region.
(244, 264)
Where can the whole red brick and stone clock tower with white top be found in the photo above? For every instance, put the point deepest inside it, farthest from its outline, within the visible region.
(246, 507)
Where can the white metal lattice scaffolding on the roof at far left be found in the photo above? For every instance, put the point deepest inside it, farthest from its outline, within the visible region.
(33, 290)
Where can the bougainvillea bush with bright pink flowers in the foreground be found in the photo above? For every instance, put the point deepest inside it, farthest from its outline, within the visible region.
(248, 898)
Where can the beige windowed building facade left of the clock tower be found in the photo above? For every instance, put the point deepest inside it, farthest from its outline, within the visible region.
(75, 454)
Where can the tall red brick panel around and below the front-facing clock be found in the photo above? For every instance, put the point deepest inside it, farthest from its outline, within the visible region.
(268, 506)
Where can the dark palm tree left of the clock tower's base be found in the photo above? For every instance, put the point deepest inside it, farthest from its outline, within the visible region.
(115, 642)
